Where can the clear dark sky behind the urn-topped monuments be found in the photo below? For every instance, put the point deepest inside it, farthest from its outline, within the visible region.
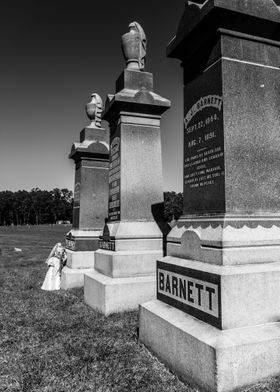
(54, 55)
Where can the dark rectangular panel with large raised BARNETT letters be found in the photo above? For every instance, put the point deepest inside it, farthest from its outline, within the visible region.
(194, 292)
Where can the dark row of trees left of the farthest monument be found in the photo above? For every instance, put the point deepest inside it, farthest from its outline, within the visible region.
(35, 207)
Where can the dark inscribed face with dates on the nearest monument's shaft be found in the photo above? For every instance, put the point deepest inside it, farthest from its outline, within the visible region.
(203, 144)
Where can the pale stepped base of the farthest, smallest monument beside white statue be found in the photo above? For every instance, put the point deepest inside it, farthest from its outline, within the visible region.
(78, 263)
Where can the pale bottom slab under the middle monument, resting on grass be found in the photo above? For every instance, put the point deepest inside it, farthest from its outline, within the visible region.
(112, 295)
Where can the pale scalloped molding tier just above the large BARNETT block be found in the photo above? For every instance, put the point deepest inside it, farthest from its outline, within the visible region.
(225, 246)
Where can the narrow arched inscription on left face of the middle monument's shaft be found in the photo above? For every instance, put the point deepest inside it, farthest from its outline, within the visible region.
(114, 181)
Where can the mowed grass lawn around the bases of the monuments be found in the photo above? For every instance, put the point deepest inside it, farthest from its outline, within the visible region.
(52, 341)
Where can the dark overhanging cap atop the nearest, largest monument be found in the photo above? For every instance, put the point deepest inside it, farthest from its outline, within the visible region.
(202, 20)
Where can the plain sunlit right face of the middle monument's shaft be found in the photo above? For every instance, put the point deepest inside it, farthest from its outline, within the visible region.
(141, 184)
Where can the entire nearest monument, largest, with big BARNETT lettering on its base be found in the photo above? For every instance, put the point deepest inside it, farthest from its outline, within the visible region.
(222, 273)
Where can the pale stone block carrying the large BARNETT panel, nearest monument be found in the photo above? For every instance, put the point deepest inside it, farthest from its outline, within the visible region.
(240, 296)
